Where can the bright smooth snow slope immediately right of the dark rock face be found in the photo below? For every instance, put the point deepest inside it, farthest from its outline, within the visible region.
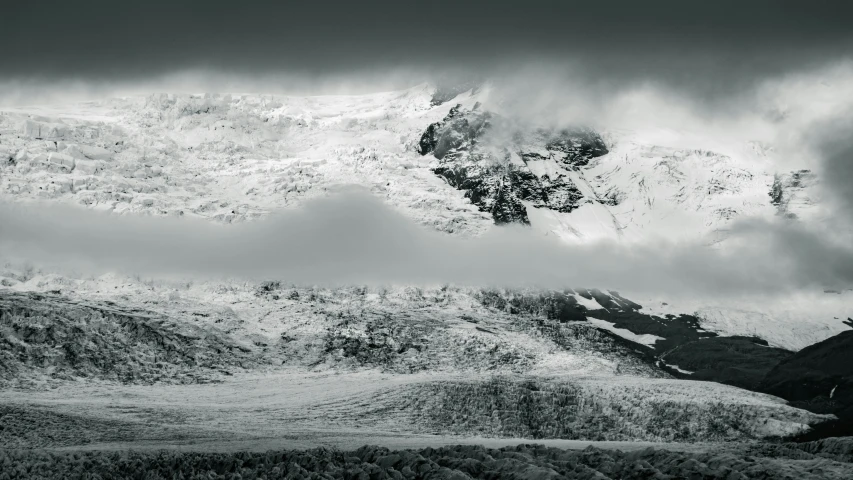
(667, 186)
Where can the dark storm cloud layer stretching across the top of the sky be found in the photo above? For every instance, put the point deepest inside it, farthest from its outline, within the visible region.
(715, 46)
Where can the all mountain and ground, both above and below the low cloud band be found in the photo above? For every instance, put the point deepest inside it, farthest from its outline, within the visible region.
(219, 371)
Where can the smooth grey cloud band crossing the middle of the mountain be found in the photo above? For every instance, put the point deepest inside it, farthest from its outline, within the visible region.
(353, 238)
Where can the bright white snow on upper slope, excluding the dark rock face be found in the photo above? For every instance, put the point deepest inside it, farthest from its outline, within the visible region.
(257, 153)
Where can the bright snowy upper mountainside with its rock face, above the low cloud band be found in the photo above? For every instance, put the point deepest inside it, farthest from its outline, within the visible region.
(233, 158)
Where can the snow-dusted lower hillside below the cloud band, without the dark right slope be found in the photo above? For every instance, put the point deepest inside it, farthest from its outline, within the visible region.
(350, 360)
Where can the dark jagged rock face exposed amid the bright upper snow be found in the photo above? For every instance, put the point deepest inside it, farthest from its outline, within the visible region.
(490, 158)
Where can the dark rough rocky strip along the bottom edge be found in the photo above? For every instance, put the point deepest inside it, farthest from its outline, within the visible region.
(461, 462)
